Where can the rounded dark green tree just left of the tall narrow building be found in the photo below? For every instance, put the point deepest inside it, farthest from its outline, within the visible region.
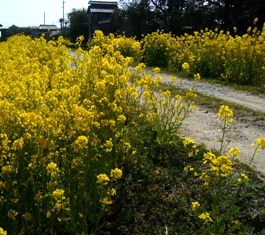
(78, 20)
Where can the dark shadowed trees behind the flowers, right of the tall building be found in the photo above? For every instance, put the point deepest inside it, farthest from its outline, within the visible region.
(180, 16)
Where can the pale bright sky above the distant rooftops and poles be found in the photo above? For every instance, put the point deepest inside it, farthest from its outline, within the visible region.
(30, 13)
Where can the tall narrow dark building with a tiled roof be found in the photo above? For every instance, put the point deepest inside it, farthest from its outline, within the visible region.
(100, 15)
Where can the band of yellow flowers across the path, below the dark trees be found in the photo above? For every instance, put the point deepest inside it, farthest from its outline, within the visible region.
(212, 53)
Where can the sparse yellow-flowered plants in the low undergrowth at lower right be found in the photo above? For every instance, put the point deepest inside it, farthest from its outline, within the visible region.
(219, 183)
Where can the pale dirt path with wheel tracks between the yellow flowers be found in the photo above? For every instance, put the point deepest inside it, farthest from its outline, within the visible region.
(202, 125)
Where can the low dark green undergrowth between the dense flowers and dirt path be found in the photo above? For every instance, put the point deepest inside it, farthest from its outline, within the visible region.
(157, 194)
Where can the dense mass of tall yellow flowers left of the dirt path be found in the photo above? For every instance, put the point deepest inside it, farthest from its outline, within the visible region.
(68, 126)
